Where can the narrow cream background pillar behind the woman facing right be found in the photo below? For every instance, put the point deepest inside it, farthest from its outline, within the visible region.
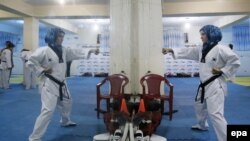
(30, 33)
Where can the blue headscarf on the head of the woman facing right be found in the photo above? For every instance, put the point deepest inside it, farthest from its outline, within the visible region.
(51, 36)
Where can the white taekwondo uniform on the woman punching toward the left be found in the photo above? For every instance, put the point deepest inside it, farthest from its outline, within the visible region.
(221, 57)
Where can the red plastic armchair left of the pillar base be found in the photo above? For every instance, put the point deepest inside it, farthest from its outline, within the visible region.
(117, 83)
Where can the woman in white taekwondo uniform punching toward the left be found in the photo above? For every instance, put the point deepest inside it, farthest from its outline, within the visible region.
(217, 63)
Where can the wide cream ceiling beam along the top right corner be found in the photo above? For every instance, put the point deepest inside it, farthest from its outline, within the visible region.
(206, 8)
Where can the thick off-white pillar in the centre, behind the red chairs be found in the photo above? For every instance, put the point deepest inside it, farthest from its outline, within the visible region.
(136, 39)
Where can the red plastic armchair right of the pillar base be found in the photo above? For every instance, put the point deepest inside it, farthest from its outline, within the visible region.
(151, 86)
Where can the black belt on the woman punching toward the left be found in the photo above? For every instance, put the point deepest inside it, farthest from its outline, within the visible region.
(202, 86)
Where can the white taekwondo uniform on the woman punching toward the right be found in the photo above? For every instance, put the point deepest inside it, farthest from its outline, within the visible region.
(43, 58)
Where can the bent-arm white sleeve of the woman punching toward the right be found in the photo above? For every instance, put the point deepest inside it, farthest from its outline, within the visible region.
(35, 61)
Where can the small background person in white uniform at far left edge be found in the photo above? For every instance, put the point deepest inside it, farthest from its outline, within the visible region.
(6, 57)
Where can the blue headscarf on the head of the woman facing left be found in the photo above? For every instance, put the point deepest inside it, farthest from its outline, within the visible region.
(213, 34)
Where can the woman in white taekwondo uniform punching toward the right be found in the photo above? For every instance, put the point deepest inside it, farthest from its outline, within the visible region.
(50, 63)
